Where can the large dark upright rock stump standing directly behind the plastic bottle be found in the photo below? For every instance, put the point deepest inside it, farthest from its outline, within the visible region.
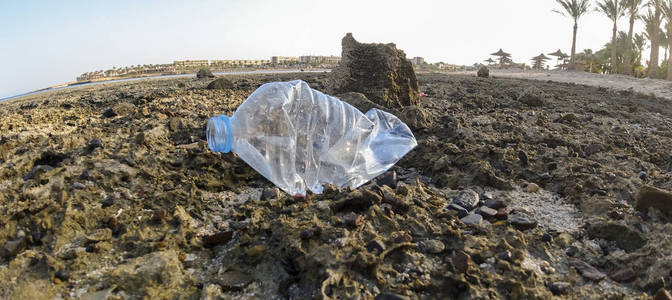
(379, 71)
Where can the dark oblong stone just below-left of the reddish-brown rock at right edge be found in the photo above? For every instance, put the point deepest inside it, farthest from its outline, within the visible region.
(625, 237)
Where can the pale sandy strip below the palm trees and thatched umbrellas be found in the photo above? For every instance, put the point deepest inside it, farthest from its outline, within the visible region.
(657, 87)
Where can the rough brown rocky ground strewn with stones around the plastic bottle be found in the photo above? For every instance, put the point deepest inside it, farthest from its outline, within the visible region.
(517, 190)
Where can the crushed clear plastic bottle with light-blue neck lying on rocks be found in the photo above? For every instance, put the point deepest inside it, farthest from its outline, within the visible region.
(300, 138)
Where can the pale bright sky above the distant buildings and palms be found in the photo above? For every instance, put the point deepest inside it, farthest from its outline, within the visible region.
(44, 43)
